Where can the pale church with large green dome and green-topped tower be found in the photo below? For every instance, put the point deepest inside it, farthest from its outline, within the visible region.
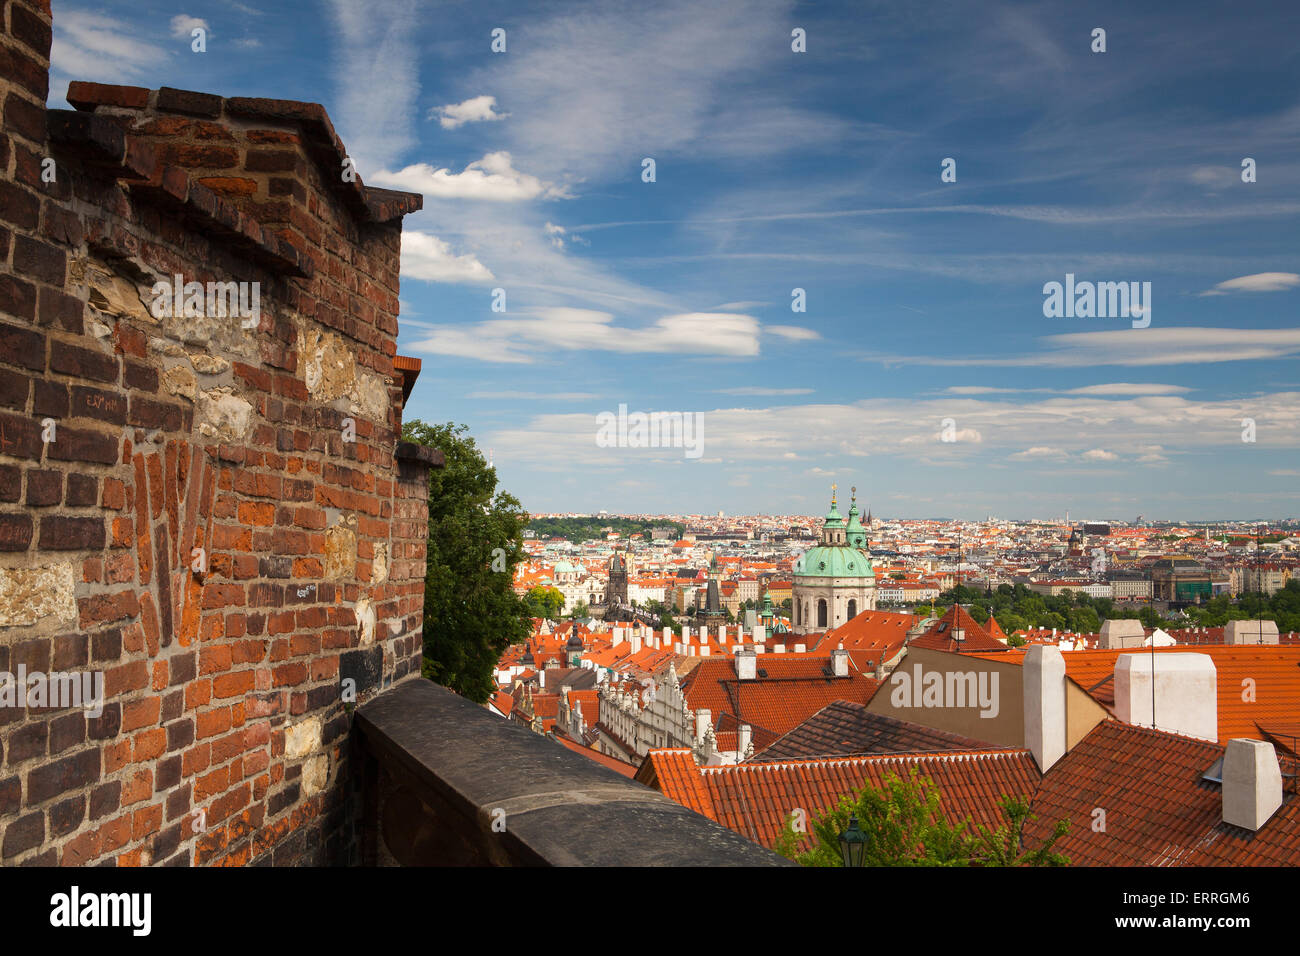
(834, 582)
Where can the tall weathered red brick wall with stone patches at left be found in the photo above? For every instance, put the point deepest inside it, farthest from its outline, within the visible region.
(207, 522)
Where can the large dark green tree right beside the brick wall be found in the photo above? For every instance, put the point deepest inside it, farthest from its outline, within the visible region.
(471, 612)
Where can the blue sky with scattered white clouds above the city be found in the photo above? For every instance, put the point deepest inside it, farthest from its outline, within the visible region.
(817, 171)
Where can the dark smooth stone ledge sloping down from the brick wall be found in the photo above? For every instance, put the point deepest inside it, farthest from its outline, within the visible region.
(454, 764)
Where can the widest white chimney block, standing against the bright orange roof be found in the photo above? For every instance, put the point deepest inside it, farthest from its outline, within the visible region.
(1186, 693)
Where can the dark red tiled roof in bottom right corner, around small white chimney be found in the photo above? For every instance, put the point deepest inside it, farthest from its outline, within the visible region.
(1159, 812)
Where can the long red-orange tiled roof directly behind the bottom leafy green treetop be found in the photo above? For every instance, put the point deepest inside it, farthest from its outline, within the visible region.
(756, 799)
